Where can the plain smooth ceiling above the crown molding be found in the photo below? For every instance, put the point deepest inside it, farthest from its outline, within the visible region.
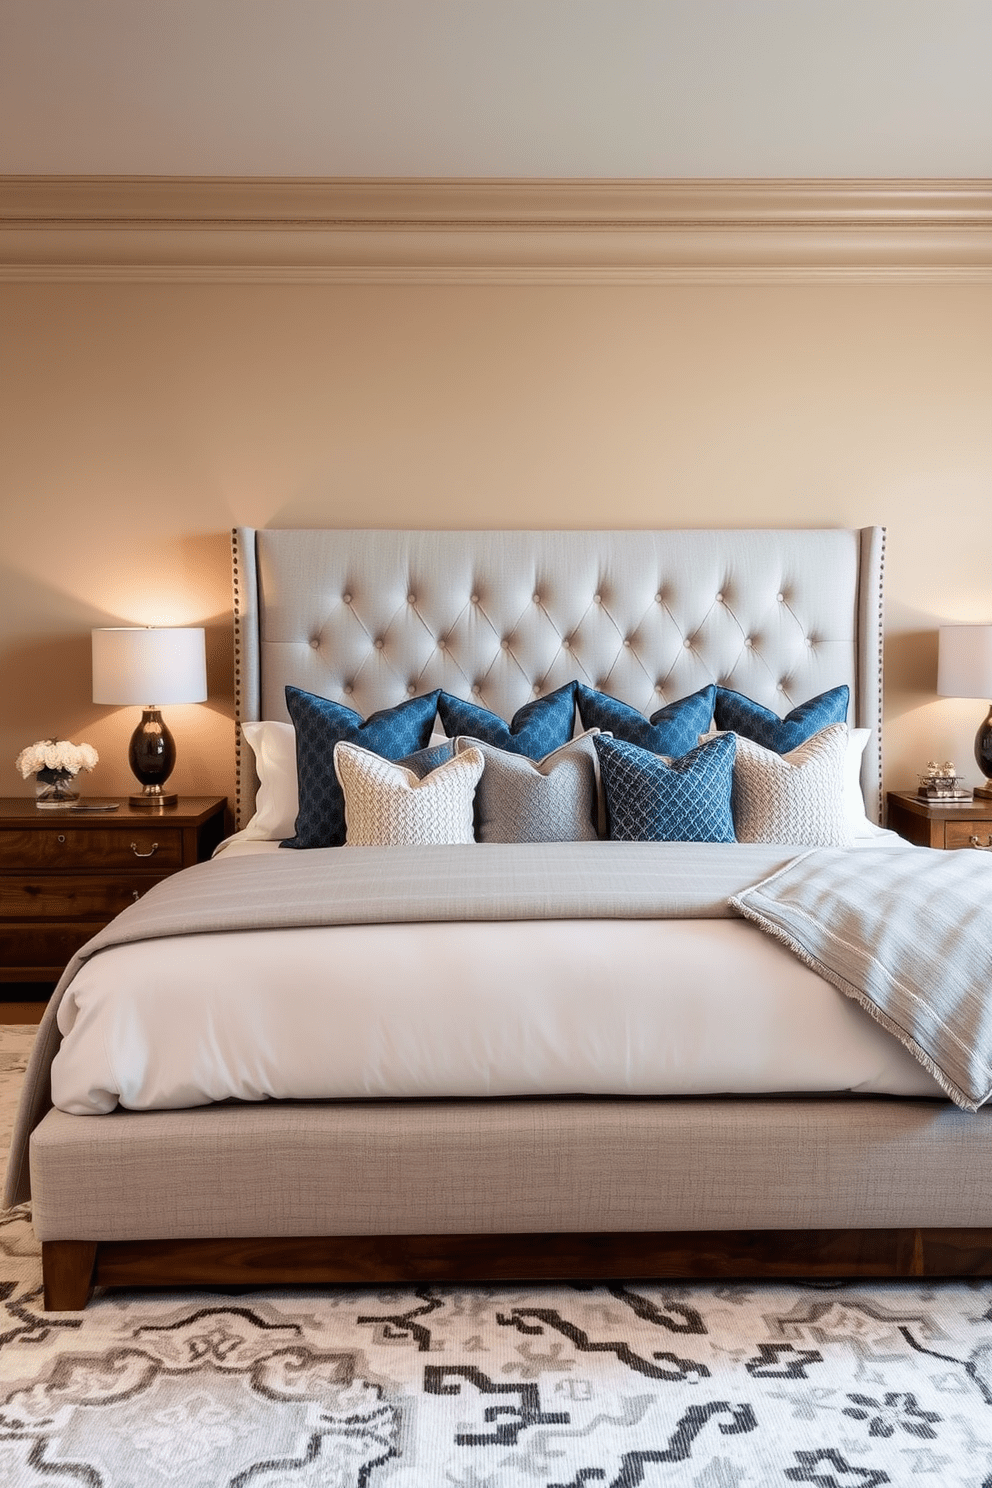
(497, 89)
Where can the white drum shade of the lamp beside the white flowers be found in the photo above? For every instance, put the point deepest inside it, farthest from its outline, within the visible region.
(149, 667)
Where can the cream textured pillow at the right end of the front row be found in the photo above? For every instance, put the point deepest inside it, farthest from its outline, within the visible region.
(796, 797)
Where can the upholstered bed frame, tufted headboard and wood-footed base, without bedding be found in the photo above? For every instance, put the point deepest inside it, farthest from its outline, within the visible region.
(361, 1191)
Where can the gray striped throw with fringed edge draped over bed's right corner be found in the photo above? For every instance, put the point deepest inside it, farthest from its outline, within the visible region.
(906, 935)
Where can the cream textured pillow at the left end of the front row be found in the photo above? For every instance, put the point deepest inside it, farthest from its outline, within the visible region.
(389, 806)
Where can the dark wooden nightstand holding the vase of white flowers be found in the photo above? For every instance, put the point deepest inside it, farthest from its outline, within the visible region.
(66, 874)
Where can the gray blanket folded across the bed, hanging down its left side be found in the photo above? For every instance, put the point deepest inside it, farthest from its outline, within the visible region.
(380, 886)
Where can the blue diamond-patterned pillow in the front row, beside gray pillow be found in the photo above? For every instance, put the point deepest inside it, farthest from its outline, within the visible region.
(651, 800)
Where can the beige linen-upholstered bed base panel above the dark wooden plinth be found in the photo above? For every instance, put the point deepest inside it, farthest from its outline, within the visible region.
(505, 1167)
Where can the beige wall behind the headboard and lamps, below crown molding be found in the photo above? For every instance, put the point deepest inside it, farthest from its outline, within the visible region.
(142, 422)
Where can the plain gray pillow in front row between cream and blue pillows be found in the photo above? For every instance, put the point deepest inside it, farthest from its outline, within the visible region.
(551, 800)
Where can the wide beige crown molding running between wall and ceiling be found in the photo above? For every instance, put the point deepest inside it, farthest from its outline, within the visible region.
(222, 230)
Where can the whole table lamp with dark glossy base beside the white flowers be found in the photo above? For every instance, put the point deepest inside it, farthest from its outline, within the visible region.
(133, 664)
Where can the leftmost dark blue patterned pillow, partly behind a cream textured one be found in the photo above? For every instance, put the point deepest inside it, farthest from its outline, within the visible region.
(321, 724)
